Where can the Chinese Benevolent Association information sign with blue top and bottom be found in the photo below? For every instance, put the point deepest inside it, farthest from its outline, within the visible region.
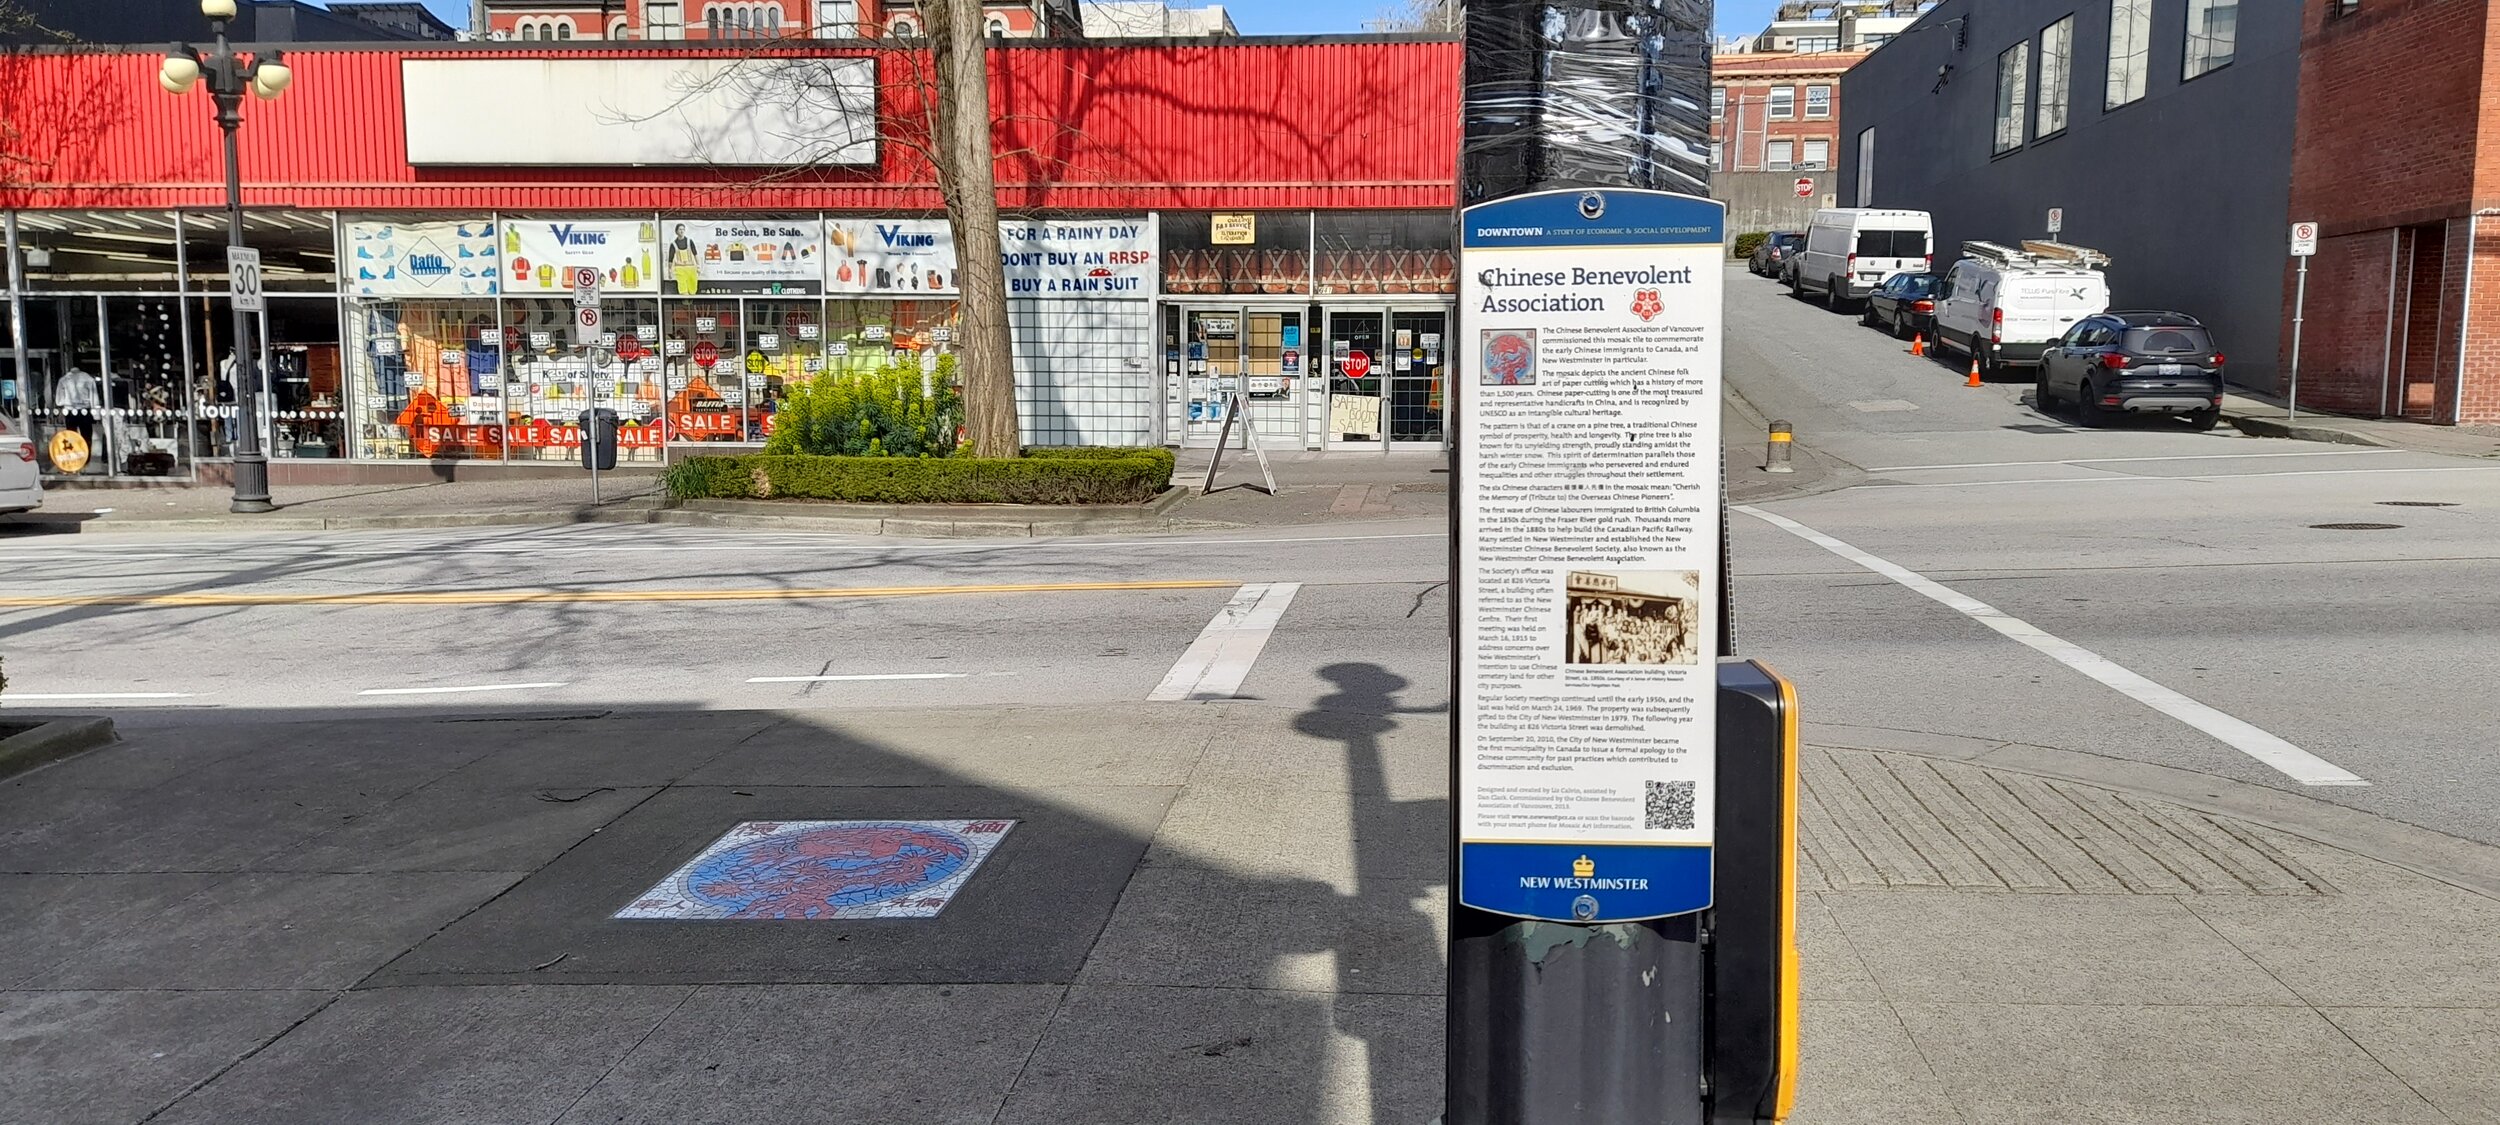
(1589, 554)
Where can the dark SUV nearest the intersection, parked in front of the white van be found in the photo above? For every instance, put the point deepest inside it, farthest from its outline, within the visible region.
(2136, 364)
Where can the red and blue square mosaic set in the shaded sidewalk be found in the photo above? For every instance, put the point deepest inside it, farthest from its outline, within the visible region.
(826, 871)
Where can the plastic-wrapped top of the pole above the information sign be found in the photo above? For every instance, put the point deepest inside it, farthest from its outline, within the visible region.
(1594, 94)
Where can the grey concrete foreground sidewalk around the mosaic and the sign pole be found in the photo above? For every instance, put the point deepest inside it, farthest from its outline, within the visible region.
(1204, 914)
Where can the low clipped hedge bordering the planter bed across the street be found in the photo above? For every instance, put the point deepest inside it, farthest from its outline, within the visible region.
(1061, 476)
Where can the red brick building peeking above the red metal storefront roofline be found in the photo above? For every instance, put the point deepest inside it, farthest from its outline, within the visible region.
(756, 19)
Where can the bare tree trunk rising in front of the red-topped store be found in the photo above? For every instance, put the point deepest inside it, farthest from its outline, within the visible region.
(969, 184)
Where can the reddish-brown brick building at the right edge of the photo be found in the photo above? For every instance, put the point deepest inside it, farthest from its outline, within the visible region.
(2404, 306)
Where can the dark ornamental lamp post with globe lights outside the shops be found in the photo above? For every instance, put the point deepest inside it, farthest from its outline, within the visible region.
(229, 76)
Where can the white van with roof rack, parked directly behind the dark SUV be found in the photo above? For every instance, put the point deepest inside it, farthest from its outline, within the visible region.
(2006, 306)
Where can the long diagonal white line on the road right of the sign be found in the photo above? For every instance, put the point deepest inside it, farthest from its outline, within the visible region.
(2294, 761)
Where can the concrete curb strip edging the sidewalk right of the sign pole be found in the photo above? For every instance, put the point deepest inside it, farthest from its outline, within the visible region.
(2439, 856)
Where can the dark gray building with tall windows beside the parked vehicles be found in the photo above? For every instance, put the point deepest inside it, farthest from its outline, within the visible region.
(2164, 129)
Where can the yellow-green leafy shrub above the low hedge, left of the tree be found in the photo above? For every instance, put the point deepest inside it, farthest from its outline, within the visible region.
(871, 414)
